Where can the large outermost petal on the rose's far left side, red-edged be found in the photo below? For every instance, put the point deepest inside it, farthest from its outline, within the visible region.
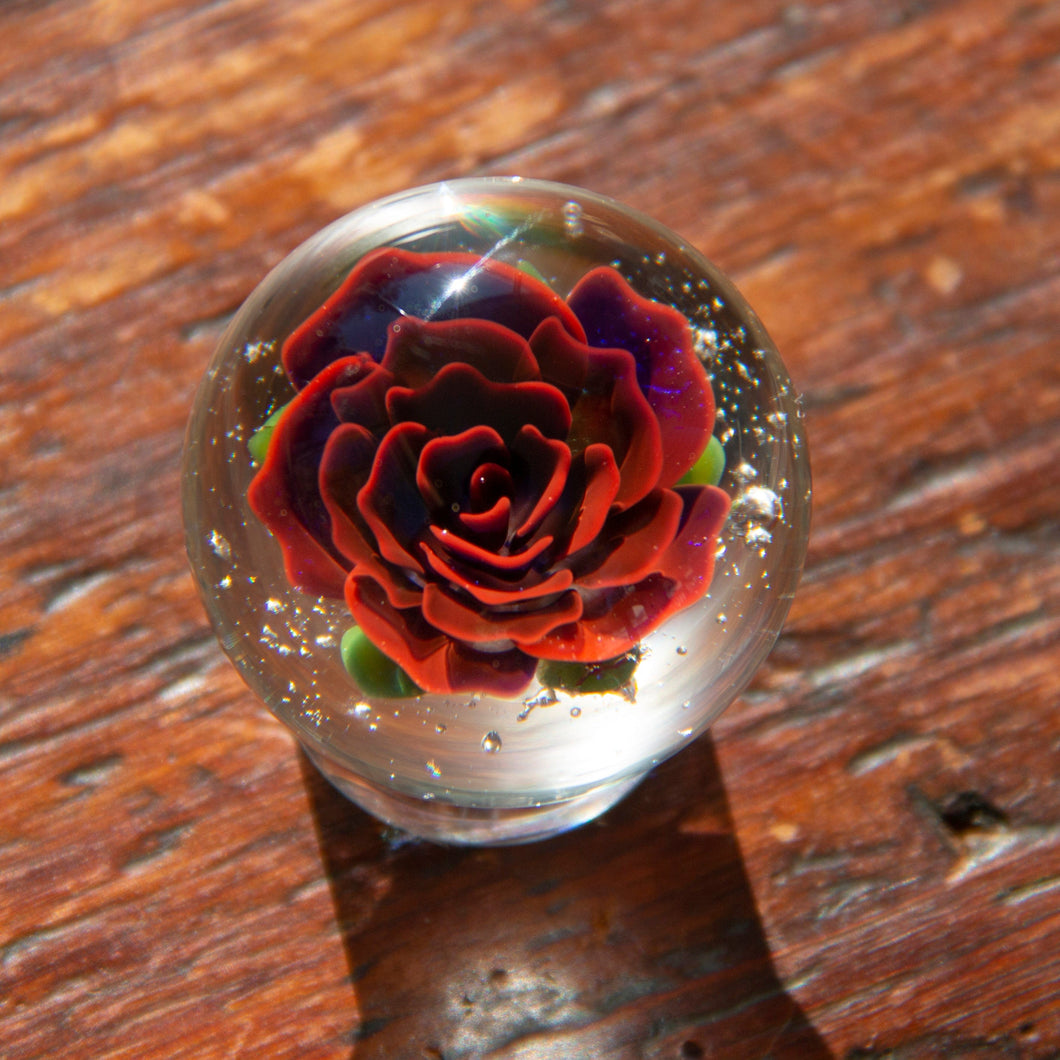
(286, 493)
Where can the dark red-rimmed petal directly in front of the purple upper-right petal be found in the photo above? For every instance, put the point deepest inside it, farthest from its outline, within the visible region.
(607, 407)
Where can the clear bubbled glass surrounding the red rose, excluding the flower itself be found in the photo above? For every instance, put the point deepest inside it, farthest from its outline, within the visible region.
(478, 767)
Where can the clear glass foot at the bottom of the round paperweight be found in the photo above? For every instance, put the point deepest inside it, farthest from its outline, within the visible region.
(460, 825)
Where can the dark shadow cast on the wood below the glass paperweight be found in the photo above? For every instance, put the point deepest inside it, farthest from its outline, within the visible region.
(635, 937)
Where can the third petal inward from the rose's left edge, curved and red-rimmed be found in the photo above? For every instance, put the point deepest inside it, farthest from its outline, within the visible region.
(391, 503)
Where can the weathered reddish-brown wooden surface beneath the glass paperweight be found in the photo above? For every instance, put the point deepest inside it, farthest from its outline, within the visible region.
(864, 861)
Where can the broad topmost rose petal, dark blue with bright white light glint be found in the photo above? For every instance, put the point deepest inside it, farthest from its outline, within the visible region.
(391, 284)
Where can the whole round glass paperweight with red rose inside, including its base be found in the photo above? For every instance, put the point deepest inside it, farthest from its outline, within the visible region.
(497, 493)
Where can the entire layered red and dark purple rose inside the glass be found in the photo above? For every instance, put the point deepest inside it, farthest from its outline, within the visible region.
(488, 473)
